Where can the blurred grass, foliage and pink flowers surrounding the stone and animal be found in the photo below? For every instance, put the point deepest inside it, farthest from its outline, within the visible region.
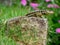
(13, 8)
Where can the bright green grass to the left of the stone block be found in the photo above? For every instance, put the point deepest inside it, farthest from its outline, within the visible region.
(5, 14)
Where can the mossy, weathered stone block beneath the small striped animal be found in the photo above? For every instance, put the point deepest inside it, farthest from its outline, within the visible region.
(27, 30)
